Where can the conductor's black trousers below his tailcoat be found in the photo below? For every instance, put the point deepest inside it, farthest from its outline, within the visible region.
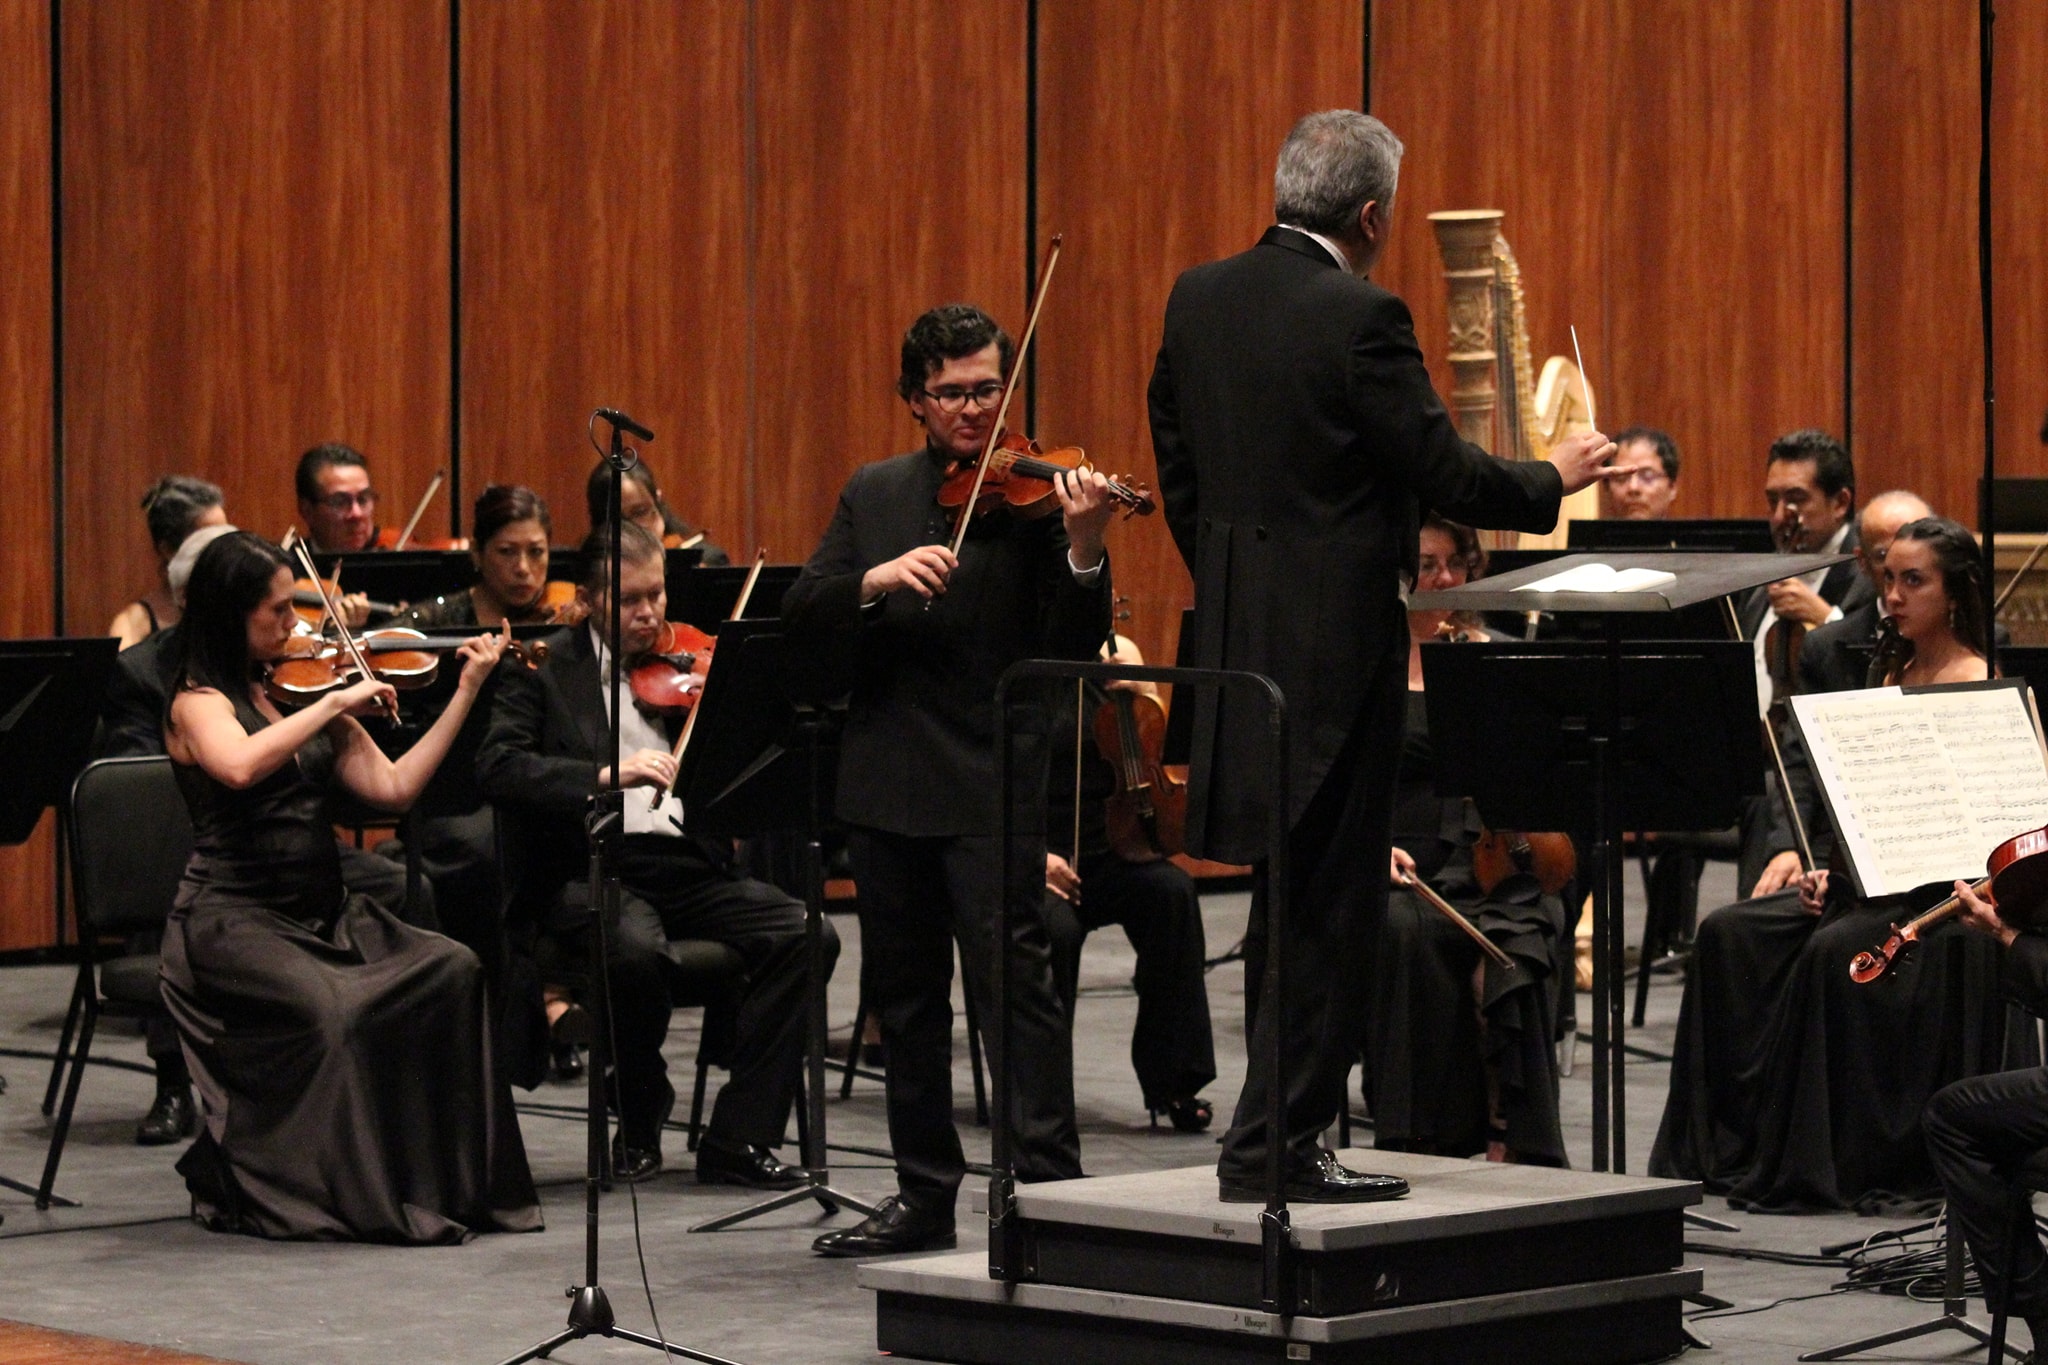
(1338, 858)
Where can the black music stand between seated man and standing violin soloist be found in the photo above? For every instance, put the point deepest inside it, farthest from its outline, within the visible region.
(763, 764)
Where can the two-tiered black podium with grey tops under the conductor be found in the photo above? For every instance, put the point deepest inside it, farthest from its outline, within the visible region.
(1480, 1264)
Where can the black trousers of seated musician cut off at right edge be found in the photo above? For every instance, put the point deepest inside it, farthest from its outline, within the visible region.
(1979, 1131)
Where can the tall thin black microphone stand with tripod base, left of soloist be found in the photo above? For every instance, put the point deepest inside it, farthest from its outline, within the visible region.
(591, 1309)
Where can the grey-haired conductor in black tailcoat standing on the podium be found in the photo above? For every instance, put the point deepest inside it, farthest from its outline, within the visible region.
(1299, 443)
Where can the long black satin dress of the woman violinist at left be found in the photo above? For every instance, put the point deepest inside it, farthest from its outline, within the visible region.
(343, 1057)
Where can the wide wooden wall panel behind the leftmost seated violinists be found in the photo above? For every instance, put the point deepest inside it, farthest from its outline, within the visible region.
(257, 259)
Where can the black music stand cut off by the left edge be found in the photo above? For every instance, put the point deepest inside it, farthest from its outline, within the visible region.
(50, 701)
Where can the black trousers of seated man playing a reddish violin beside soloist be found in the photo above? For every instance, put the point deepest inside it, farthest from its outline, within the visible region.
(675, 893)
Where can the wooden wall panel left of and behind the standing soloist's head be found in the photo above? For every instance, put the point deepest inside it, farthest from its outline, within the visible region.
(890, 181)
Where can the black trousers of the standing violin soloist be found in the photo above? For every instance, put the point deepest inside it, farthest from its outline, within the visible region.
(921, 895)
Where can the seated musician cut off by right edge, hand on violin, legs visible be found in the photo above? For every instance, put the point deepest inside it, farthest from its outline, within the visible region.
(1981, 1131)
